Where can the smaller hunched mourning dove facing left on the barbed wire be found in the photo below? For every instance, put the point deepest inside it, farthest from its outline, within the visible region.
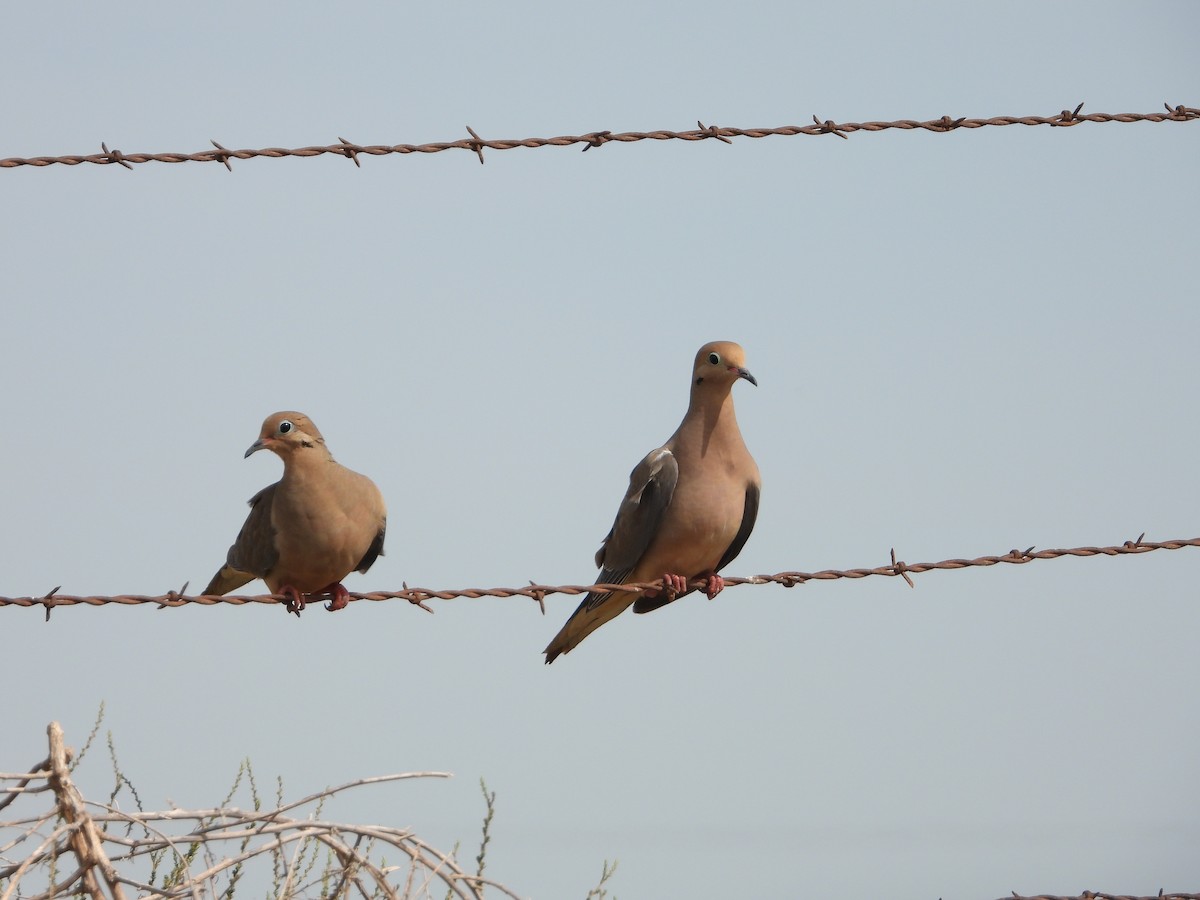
(313, 527)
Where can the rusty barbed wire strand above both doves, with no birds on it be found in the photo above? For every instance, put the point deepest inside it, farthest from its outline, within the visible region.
(599, 139)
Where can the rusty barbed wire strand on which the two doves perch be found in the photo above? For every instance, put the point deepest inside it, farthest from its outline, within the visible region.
(897, 568)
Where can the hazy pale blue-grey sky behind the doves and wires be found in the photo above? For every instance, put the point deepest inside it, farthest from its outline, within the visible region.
(965, 344)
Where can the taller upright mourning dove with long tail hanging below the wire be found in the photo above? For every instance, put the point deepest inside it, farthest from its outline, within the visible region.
(689, 509)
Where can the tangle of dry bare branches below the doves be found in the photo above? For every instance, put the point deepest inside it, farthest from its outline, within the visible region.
(116, 849)
